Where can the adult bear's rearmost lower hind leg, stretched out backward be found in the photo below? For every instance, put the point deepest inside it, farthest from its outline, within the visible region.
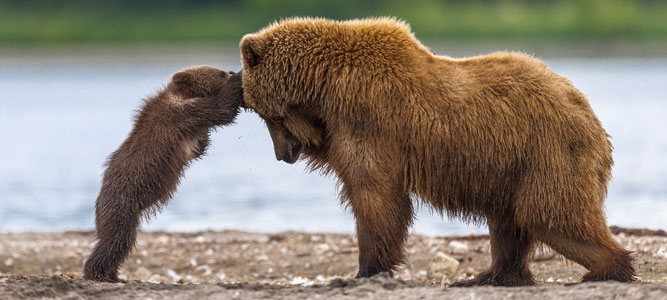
(599, 253)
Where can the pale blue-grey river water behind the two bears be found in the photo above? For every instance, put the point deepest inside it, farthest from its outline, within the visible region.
(61, 116)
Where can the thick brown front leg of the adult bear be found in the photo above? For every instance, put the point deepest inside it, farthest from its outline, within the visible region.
(383, 216)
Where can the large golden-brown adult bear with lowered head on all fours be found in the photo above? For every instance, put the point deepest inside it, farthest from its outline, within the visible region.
(497, 138)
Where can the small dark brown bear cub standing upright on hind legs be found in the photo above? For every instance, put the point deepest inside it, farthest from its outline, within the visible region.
(169, 132)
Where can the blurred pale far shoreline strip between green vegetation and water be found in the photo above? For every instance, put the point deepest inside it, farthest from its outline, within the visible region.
(159, 52)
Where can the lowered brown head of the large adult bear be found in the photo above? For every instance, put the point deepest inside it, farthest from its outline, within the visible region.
(273, 89)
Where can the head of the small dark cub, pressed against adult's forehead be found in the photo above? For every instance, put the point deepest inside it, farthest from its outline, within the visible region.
(201, 81)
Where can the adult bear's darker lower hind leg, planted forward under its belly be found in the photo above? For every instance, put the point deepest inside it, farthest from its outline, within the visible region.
(511, 251)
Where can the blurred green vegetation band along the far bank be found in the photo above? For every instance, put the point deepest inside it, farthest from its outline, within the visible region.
(206, 21)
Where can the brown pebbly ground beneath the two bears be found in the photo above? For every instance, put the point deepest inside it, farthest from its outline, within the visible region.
(244, 265)
